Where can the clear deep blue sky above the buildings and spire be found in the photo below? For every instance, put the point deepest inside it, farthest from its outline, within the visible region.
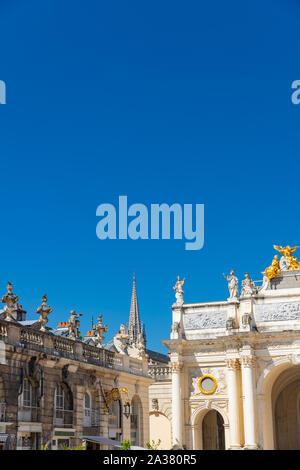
(186, 102)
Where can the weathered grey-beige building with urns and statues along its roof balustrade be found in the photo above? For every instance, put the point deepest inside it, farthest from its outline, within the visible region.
(57, 388)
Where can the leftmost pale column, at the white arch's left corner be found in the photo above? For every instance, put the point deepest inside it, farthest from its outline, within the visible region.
(177, 408)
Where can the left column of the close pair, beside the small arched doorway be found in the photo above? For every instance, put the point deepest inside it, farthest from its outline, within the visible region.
(233, 367)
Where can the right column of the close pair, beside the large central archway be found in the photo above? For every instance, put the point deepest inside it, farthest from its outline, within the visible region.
(249, 402)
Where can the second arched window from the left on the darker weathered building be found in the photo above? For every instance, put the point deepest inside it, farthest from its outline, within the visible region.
(63, 403)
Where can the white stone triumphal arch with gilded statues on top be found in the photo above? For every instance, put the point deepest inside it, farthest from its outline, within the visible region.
(233, 381)
